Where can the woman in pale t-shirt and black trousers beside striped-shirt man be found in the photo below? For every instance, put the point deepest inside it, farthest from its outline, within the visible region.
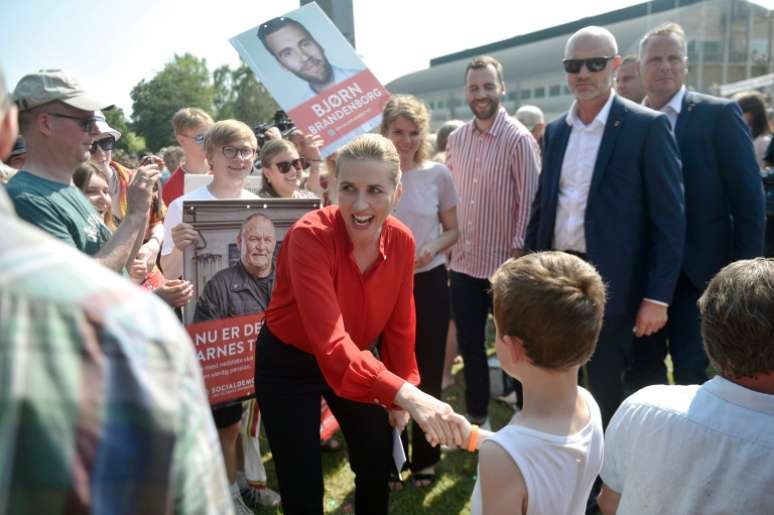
(428, 207)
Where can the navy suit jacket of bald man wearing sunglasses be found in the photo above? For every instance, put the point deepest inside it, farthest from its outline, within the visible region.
(634, 220)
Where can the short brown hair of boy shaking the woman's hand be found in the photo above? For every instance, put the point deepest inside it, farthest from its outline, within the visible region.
(554, 303)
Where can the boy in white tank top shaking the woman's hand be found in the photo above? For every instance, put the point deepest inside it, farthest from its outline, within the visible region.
(548, 311)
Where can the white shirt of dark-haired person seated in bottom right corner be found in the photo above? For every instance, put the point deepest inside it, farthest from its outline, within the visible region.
(705, 449)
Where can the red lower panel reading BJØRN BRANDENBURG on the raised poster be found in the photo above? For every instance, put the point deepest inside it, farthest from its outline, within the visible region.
(342, 108)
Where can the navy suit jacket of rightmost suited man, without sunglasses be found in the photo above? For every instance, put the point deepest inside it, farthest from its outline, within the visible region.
(724, 201)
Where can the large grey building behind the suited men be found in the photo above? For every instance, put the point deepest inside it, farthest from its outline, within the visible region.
(728, 41)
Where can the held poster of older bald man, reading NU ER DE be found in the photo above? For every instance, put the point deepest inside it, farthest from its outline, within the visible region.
(232, 268)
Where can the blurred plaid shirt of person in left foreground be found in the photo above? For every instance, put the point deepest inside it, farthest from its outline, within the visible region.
(102, 403)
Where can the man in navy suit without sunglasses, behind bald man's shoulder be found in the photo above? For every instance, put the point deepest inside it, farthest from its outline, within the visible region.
(724, 203)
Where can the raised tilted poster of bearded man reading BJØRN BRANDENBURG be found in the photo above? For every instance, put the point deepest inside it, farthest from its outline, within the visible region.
(315, 75)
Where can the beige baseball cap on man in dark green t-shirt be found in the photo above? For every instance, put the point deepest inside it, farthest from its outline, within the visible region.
(47, 86)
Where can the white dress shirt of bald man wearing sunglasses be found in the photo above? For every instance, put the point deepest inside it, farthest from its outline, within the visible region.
(575, 180)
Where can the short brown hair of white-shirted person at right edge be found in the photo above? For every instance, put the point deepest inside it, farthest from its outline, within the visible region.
(737, 319)
